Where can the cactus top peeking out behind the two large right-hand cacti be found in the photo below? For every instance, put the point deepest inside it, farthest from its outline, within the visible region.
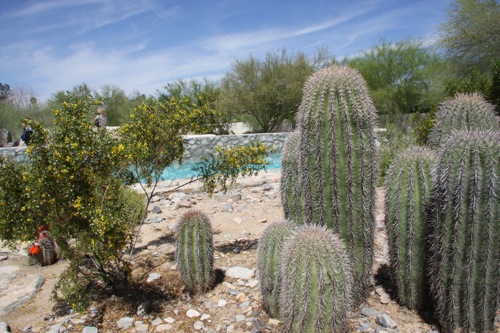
(463, 112)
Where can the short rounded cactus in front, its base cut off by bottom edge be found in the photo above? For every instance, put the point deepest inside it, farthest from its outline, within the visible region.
(316, 281)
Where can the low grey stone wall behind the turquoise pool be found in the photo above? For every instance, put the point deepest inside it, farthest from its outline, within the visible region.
(195, 145)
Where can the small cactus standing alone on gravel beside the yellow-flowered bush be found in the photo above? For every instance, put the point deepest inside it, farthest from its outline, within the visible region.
(195, 251)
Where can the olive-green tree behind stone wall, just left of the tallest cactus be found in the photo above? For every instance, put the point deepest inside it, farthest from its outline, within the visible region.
(265, 92)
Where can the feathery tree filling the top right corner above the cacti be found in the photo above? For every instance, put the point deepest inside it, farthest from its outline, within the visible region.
(471, 36)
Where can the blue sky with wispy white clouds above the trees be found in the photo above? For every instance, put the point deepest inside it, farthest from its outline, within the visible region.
(141, 45)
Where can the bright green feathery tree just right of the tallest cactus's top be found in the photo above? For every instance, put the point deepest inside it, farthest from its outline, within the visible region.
(403, 77)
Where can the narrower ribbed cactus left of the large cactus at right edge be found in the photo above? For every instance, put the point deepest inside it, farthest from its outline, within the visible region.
(408, 193)
